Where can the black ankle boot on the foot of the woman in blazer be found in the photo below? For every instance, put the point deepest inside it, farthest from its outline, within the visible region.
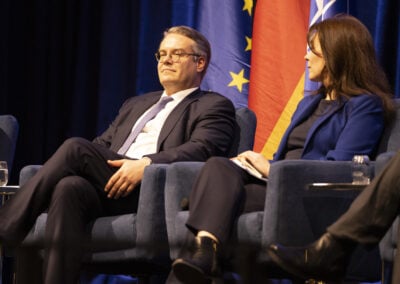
(200, 265)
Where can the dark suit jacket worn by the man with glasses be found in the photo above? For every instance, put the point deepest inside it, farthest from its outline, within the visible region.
(202, 125)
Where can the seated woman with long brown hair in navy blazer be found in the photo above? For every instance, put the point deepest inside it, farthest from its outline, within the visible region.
(344, 117)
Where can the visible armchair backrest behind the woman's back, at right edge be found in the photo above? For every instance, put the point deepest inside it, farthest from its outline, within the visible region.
(391, 137)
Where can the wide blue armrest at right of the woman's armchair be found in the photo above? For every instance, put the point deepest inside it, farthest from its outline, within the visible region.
(295, 216)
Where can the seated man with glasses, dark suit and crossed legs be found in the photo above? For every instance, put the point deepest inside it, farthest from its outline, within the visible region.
(84, 180)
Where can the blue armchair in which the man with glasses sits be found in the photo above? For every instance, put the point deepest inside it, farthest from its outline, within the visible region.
(139, 241)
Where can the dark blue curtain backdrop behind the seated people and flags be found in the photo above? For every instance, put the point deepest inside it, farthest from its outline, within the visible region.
(66, 66)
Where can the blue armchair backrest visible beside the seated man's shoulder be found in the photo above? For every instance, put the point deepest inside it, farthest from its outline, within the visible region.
(247, 121)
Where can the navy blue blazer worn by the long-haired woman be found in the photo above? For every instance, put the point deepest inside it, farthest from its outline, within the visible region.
(353, 126)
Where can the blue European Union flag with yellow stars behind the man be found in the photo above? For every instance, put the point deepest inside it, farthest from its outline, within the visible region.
(227, 24)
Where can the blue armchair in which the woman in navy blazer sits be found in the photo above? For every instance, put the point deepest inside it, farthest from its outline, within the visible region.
(293, 215)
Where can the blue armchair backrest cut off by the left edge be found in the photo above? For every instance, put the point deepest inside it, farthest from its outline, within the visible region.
(9, 128)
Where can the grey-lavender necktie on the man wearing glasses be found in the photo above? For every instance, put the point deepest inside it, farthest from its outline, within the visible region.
(138, 128)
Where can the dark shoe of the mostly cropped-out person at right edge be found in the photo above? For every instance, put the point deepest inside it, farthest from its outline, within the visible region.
(326, 259)
